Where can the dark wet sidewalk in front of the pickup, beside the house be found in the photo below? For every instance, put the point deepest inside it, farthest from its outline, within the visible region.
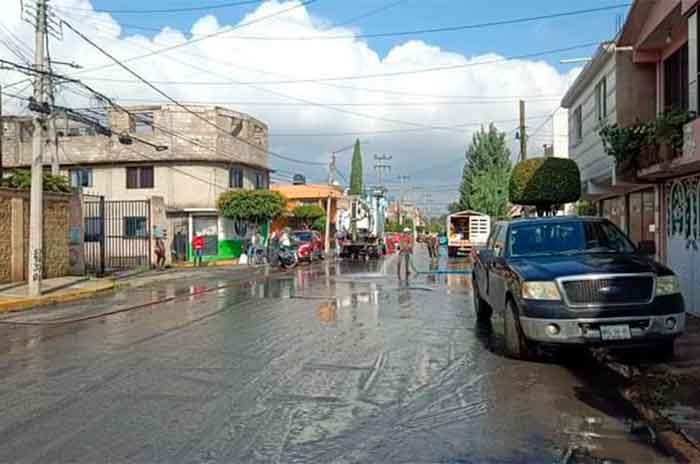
(666, 395)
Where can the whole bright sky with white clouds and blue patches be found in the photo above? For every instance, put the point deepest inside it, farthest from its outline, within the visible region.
(321, 73)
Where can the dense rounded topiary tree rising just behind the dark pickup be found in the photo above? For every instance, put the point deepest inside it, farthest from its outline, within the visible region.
(545, 183)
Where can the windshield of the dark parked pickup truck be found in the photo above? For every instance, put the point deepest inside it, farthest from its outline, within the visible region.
(567, 238)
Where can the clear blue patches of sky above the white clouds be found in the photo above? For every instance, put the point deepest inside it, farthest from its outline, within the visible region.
(418, 14)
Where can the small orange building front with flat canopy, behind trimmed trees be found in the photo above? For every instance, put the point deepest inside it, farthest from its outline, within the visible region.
(306, 194)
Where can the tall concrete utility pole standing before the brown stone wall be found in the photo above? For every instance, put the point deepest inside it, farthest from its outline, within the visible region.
(34, 275)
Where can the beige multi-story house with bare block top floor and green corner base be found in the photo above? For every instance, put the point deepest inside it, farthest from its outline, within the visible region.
(187, 160)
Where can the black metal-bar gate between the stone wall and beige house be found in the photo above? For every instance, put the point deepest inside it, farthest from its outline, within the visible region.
(117, 234)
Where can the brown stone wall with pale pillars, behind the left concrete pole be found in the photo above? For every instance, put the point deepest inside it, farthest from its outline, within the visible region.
(14, 235)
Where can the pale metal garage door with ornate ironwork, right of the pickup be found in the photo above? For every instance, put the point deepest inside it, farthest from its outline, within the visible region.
(684, 237)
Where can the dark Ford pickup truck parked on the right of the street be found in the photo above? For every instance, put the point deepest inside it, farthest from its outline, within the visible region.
(575, 281)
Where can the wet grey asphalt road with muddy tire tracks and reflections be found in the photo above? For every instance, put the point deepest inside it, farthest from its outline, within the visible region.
(335, 363)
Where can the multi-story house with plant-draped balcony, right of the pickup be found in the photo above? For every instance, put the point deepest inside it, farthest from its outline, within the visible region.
(649, 69)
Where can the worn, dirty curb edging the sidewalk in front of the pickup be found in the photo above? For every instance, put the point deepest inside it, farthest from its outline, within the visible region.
(668, 435)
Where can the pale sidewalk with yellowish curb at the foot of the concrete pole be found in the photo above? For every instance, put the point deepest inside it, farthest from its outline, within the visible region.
(58, 290)
